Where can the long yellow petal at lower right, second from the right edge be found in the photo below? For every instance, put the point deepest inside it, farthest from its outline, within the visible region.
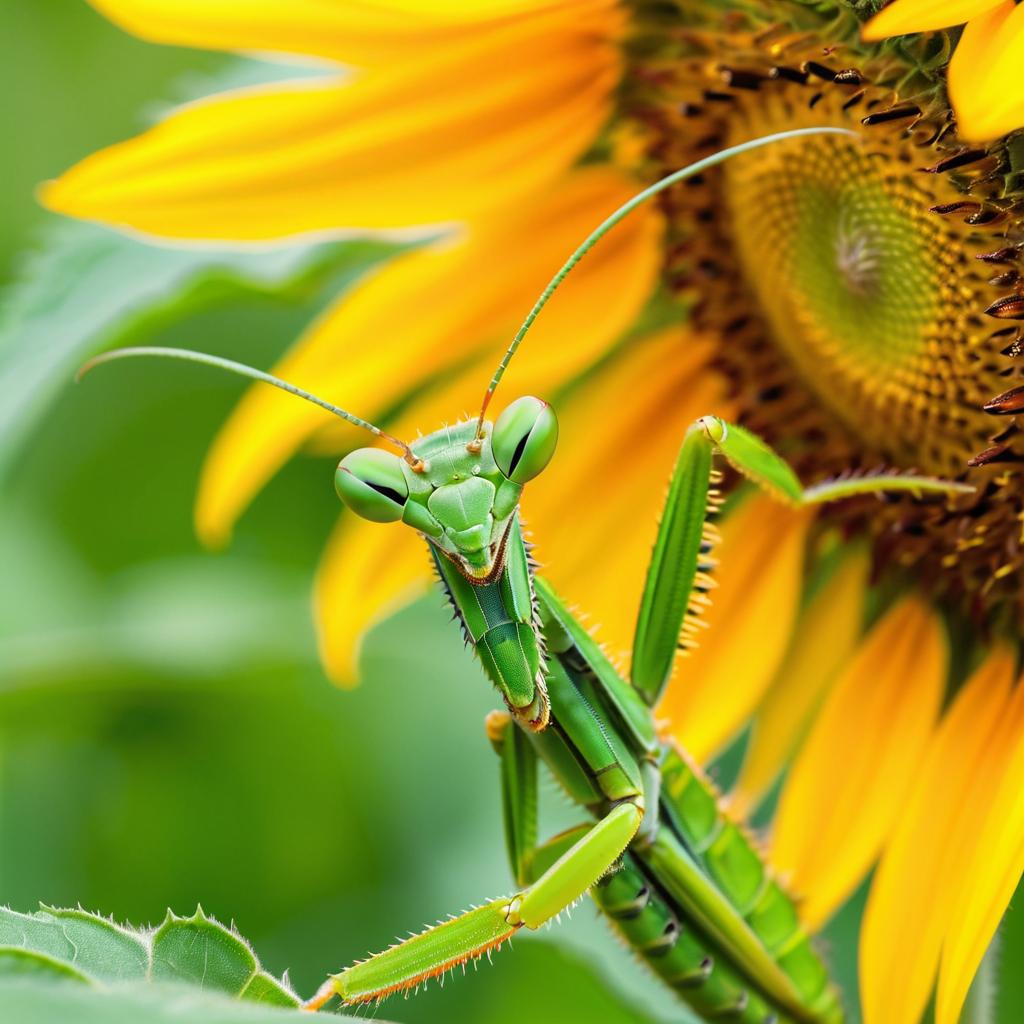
(911, 905)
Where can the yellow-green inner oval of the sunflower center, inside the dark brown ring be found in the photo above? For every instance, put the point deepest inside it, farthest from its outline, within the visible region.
(855, 278)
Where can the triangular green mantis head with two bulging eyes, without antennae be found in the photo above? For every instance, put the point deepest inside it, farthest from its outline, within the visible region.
(461, 489)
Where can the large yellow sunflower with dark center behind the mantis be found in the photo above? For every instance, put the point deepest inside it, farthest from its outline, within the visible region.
(856, 302)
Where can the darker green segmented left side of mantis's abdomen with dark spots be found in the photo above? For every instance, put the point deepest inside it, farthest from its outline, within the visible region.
(676, 953)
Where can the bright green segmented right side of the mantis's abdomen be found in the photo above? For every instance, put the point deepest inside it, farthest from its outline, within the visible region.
(731, 859)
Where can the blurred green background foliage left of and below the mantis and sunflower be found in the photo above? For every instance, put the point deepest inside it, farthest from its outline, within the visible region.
(167, 737)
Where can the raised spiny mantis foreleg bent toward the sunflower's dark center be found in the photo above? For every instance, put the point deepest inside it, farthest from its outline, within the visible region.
(677, 579)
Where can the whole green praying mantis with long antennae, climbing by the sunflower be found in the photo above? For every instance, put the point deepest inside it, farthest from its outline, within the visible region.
(684, 884)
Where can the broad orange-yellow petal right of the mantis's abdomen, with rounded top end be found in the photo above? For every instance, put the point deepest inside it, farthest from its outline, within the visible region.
(850, 780)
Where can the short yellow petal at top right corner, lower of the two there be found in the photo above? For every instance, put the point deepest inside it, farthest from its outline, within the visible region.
(986, 74)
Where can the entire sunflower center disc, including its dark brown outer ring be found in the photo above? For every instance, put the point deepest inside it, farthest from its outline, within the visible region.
(849, 281)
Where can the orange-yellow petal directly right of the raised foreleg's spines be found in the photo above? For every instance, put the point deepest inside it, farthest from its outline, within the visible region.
(750, 623)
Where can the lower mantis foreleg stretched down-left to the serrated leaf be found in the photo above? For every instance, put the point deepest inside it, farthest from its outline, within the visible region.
(452, 944)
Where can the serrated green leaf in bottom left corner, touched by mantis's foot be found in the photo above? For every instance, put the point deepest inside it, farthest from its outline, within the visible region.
(197, 955)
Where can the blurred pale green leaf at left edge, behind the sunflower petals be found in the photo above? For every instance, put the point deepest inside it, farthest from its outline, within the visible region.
(90, 288)
